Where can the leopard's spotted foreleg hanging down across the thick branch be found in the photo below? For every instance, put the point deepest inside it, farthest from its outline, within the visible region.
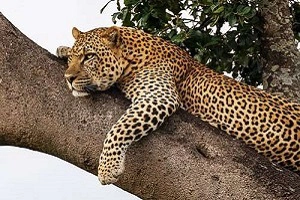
(154, 97)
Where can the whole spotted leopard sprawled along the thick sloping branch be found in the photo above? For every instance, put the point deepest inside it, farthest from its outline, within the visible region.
(159, 78)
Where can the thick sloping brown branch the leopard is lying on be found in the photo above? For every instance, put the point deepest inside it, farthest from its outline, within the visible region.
(184, 159)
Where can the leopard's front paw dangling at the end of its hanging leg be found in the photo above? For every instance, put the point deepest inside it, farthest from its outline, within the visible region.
(110, 168)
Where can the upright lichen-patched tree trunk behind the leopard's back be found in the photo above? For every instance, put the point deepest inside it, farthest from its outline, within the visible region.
(282, 59)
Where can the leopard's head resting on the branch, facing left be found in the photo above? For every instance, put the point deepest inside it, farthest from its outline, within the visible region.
(94, 62)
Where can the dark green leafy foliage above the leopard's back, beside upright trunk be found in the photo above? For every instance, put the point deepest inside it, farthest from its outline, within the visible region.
(223, 34)
